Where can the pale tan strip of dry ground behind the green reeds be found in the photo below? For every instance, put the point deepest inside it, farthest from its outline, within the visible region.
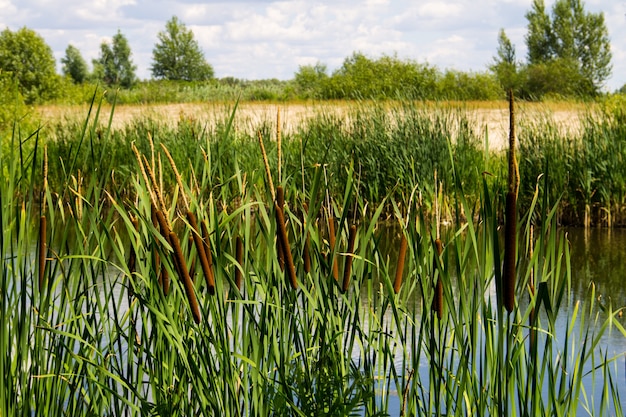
(492, 115)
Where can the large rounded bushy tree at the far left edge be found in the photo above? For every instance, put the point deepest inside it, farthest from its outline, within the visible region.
(26, 56)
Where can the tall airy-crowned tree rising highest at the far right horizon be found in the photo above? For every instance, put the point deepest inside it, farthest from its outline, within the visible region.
(578, 39)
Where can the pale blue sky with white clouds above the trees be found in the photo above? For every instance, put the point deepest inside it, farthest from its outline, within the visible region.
(258, 39)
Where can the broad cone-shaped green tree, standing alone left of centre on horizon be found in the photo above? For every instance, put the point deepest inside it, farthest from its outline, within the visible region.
(177, 55)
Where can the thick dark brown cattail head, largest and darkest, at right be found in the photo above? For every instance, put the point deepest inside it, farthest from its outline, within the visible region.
(510, 248)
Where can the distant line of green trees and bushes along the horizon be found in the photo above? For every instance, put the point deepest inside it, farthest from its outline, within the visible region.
(568, 56)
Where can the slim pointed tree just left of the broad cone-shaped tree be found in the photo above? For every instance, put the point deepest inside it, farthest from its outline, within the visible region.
(114, 66)
